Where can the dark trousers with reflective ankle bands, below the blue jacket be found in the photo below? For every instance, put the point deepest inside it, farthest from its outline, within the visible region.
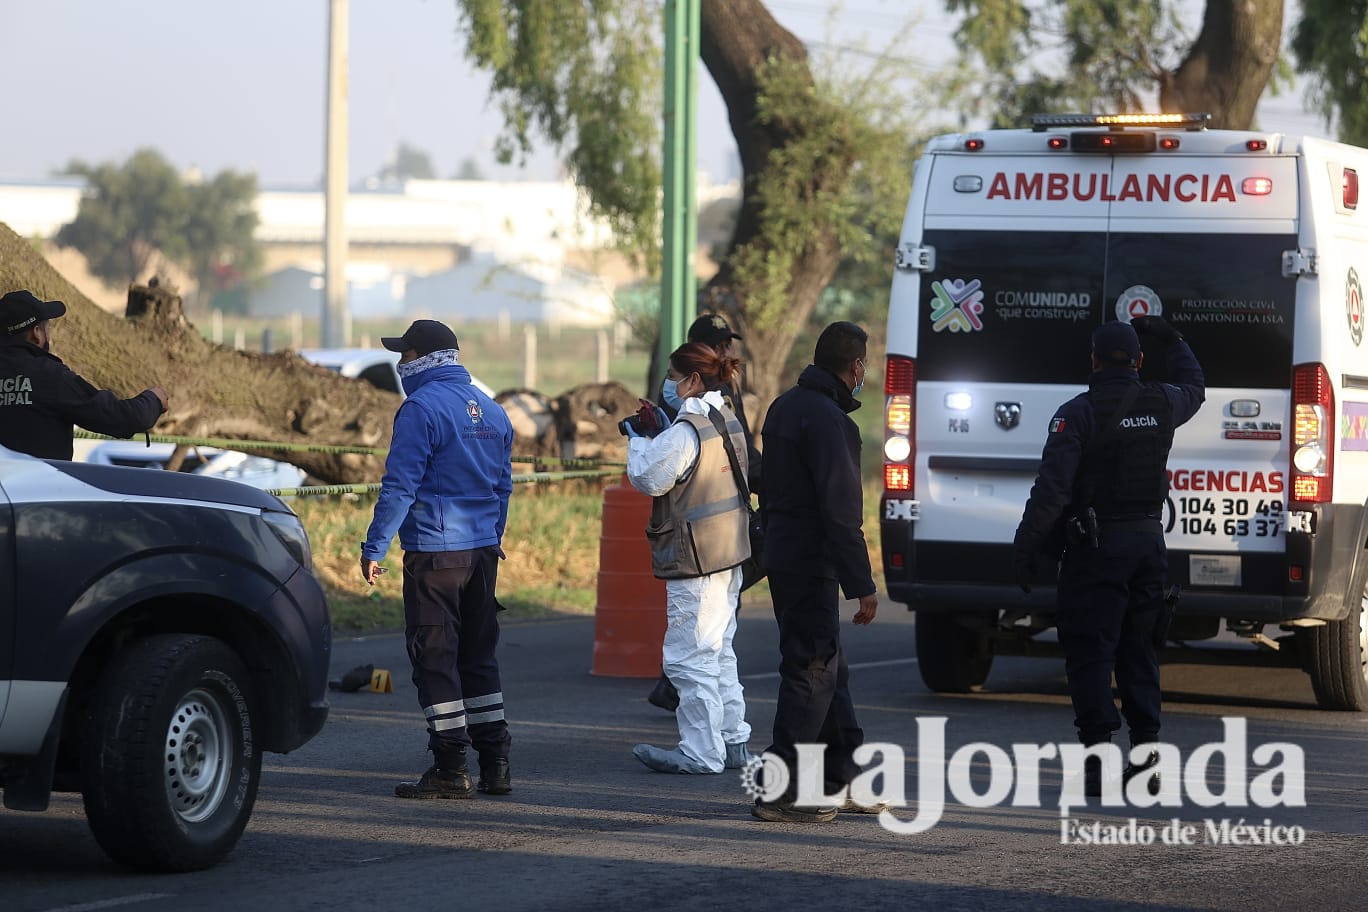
(453, 632)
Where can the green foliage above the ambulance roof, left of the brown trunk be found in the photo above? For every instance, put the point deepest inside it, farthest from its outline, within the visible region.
(1054, 57)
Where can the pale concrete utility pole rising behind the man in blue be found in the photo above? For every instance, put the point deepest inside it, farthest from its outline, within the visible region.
(337, 318)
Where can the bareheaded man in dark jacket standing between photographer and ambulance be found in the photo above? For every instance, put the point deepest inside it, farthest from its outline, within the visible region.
(815, 544)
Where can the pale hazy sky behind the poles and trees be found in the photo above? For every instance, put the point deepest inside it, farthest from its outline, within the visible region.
(241, 84)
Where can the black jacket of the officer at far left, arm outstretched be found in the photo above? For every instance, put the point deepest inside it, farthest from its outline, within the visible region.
(42, 399)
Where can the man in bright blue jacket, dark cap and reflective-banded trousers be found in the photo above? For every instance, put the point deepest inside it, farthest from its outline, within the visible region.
(447, 492)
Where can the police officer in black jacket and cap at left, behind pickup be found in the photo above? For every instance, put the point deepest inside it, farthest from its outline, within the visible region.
(42, 399)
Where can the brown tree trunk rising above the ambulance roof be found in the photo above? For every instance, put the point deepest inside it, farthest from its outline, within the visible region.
(1229, 65)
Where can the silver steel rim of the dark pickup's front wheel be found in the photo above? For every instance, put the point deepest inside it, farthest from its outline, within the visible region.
(196, 757)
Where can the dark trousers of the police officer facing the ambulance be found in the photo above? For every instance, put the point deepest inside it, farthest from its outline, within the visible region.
(1109, 604)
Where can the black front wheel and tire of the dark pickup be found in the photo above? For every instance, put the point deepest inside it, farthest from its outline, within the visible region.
(169, 762)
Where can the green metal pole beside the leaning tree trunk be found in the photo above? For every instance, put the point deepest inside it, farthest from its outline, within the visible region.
(679, 281)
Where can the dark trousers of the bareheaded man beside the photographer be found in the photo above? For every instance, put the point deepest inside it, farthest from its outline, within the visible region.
(815, 699)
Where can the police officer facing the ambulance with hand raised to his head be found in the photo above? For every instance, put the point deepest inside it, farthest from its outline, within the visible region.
(1103, 475)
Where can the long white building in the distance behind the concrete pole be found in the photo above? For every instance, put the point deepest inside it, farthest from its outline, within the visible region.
(410, 248)
